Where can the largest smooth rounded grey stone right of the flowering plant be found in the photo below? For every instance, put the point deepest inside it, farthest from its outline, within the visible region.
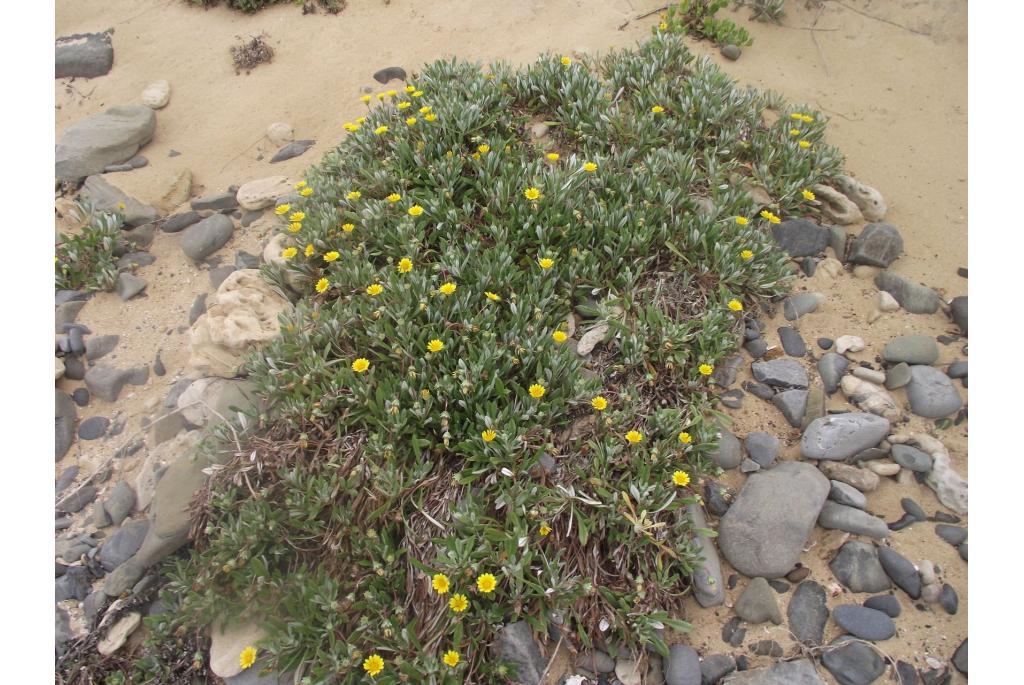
(765, 531)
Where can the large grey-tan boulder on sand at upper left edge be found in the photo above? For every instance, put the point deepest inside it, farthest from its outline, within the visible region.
(110, 138)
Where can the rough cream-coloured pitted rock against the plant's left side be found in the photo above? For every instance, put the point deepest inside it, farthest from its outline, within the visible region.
(243, 314)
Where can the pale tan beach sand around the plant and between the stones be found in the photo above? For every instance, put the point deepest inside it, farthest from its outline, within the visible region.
(895, 88)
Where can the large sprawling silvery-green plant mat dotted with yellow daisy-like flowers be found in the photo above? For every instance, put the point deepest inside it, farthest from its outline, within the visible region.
(434, 459)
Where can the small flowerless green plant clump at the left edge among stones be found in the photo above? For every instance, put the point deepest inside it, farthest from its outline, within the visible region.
(86, 259)
